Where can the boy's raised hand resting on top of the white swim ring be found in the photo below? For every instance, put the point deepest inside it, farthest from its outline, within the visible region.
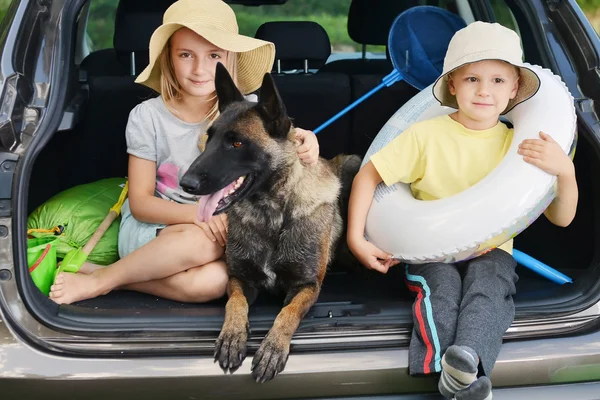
(547, 155)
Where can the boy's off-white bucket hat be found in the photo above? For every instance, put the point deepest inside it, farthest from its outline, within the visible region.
(480, 41)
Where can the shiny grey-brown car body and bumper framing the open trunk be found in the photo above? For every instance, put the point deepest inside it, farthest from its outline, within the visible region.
(36, 359)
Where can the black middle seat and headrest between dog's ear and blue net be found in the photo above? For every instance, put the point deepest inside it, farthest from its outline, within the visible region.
(310, 98)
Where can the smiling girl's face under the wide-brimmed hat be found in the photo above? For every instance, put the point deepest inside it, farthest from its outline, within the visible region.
(194, 62)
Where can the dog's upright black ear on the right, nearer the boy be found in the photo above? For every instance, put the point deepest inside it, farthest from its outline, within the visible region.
(272, 109)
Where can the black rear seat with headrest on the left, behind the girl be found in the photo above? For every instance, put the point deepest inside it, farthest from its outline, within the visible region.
(97, 147)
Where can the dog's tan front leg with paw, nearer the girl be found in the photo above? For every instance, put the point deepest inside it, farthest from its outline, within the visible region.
(230, 348)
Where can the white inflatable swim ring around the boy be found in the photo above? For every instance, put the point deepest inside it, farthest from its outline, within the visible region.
(490, 212)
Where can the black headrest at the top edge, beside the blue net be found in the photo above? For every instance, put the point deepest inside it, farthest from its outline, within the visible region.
(369, 21)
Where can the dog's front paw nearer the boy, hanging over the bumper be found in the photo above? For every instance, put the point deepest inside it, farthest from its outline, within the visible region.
(271, 357)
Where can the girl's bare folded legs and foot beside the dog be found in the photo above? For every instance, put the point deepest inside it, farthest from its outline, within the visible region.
(181, 264)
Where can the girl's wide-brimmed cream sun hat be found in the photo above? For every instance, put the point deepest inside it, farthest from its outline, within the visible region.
(215, 21)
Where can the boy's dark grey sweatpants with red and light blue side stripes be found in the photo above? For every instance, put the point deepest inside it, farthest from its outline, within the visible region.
(467, 304)
